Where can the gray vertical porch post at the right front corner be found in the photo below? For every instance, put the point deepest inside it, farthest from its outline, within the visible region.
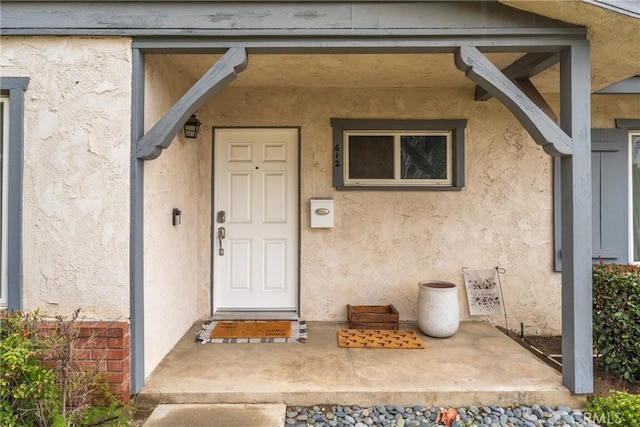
(575, 113)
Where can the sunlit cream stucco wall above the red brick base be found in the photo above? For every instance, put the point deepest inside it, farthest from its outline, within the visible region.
(76, 172)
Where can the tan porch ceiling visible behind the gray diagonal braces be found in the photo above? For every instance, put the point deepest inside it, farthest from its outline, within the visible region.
(349, 70)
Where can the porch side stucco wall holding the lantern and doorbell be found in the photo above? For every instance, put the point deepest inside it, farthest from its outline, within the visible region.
(170, 261)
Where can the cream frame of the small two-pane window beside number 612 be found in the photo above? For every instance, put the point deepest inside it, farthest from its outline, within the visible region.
(397, 157)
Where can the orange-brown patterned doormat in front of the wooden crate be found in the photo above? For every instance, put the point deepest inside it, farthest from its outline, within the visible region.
(359, 338)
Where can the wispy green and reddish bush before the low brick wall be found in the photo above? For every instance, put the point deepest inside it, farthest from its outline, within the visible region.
(70, 393)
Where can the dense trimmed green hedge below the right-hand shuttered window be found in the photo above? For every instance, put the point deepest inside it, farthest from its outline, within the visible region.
(616, 319)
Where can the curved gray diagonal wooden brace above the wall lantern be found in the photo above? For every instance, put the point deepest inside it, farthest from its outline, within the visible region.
(165, 130)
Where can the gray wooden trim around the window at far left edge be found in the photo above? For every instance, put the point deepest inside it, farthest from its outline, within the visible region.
(16, 87)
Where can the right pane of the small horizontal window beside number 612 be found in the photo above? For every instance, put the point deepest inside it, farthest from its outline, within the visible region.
(423, 157)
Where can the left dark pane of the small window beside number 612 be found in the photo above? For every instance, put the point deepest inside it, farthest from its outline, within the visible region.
(370, 157)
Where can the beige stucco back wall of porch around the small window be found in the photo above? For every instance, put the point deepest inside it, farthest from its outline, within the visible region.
(384, 243)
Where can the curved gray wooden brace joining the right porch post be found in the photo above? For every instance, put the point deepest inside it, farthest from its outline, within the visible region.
(541, 128)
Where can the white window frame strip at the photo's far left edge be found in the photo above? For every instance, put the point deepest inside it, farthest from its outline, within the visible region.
(4, 278)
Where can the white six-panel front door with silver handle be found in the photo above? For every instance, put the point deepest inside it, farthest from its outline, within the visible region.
(255, 221)
